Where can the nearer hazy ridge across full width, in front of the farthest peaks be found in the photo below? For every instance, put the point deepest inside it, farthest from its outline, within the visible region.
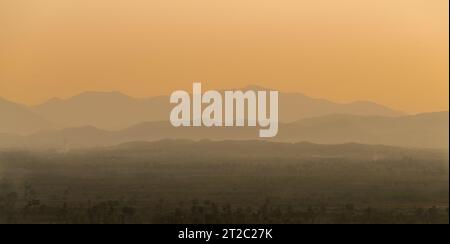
(422, 131)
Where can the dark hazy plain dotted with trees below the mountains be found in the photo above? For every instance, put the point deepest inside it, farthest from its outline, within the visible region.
(225, 182)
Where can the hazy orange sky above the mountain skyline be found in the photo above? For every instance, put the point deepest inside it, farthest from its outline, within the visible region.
(394, 52)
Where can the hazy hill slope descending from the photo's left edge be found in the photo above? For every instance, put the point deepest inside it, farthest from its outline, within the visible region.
(15, 118)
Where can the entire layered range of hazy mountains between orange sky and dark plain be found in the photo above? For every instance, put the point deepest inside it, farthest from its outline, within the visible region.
(110, 118)
